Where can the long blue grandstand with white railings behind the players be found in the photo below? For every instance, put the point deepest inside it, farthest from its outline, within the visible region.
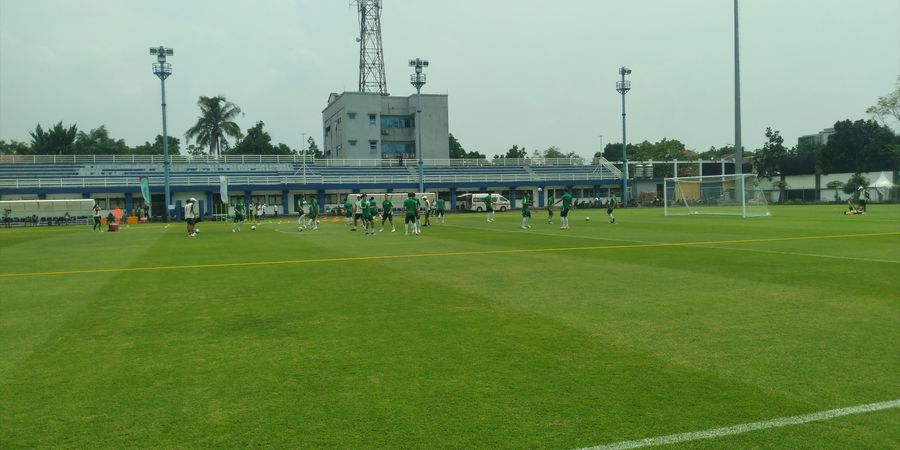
(279, 179)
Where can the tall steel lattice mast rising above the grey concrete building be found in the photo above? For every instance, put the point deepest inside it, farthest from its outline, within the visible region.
(371, 56)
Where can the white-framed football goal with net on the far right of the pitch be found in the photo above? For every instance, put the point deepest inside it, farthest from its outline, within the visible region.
(730, 195)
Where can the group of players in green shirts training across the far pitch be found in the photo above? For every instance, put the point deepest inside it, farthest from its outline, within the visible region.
(365, 209)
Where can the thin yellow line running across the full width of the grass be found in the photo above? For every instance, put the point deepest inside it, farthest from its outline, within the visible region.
(427, 255)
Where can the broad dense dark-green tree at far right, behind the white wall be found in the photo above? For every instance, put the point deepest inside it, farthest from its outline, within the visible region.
(861, 146)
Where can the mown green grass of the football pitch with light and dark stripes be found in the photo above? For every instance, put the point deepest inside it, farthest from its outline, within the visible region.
(473, 335)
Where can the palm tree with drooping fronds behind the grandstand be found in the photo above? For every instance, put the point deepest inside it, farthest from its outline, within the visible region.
(215, 123)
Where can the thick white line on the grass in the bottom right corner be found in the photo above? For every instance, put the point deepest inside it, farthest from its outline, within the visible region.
(747, 427)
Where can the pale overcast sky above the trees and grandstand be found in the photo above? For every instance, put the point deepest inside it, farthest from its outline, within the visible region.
(530, 72)
